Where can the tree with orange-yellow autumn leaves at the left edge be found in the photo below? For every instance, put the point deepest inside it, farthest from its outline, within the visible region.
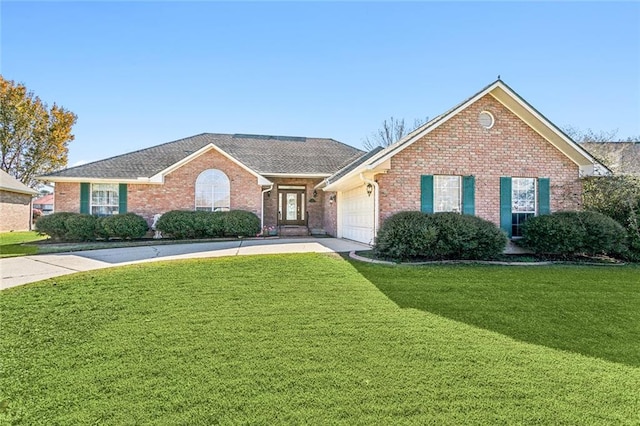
(33, 137)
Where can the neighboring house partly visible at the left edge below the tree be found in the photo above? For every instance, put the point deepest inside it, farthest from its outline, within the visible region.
(15, 204)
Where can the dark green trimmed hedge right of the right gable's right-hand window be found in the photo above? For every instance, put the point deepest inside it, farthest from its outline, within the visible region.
(571, 233)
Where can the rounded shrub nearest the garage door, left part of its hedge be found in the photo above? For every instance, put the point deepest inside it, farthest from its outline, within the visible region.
(405, 235)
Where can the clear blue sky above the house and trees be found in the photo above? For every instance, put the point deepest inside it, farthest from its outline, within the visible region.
(142, 73)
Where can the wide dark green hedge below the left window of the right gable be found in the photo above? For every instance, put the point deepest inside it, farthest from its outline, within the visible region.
(416, 235)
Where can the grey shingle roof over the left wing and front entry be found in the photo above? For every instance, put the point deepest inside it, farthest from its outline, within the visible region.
(263, 154)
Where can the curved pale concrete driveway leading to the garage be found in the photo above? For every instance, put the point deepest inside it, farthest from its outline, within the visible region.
(15, 271)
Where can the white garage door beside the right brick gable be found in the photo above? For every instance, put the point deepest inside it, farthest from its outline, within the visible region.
(358, 215)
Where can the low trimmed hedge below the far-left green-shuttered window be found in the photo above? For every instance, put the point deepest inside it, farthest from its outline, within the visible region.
(85, 227)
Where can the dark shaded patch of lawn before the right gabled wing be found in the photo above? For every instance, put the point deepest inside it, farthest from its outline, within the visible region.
(588, 310)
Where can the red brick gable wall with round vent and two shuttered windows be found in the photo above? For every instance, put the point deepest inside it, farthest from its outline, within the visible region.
(462, 147)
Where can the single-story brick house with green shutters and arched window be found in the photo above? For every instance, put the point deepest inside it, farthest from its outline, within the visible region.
(492, 155)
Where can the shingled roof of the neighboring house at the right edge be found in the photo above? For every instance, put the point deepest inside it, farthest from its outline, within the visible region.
(621, 157)
